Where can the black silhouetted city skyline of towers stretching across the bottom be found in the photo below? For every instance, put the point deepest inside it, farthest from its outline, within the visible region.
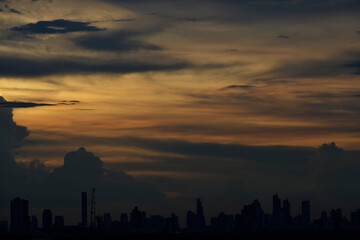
(252, 218)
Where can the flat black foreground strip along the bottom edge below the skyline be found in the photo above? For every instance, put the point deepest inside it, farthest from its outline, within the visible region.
(193, 236)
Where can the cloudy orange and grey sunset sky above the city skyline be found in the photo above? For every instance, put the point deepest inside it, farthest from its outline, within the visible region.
(157, 103)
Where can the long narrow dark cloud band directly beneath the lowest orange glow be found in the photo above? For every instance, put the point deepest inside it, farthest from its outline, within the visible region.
(270, 154)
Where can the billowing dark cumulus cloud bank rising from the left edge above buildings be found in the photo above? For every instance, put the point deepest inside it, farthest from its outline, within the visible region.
(81, 171)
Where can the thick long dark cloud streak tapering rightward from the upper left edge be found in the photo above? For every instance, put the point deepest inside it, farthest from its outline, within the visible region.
(37, 67)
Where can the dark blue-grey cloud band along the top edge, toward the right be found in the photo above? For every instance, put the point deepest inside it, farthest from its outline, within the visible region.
(246, 11)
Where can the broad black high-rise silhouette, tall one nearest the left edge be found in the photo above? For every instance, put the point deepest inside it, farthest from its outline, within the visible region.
(19, 216)
